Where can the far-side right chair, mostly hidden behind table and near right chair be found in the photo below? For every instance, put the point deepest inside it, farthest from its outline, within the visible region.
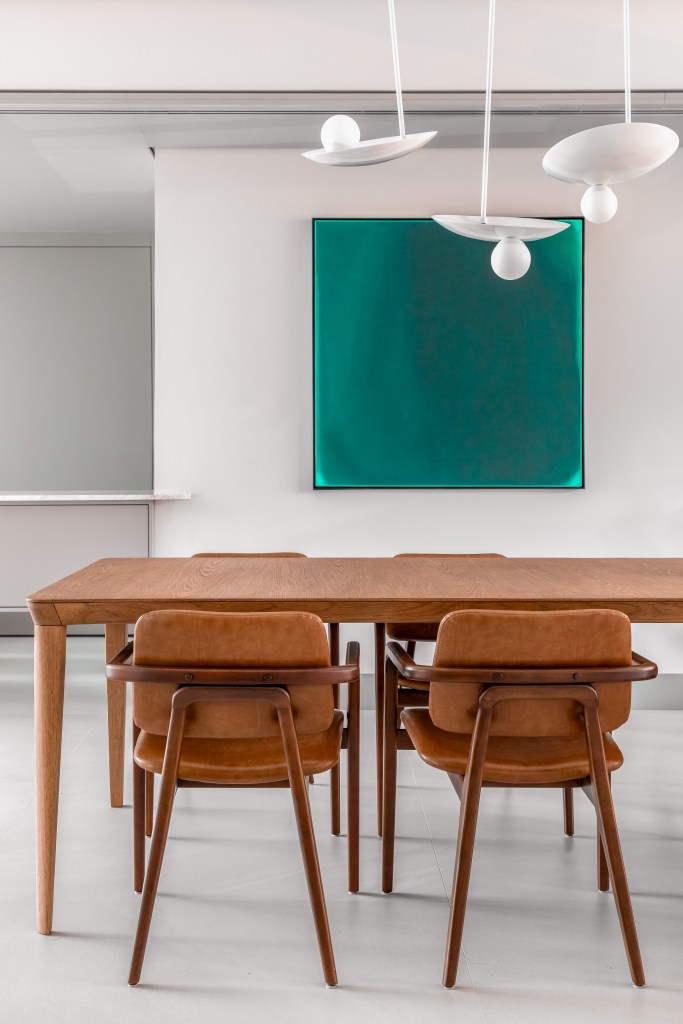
(410, 634)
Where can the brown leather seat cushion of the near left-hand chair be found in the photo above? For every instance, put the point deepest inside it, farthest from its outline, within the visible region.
(243, 762)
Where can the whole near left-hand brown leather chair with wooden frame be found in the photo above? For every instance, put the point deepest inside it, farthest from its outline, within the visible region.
(238, 700)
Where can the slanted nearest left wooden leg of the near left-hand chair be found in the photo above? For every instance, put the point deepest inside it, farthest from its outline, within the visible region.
(164, 809)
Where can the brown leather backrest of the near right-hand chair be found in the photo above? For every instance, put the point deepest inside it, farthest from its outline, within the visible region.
(600, 638)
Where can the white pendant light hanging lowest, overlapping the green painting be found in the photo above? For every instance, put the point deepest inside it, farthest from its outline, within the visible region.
(510, 259)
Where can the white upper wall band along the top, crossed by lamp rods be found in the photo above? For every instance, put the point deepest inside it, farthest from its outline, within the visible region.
(332, 45)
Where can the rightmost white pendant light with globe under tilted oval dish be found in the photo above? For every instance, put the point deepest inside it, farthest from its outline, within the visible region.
(605, 156)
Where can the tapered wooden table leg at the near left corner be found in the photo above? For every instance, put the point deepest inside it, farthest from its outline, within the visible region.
(51, 653)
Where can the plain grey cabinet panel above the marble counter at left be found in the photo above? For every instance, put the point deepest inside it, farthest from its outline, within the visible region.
(76, 367)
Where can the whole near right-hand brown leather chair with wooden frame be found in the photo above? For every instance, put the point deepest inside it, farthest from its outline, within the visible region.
(520, 699)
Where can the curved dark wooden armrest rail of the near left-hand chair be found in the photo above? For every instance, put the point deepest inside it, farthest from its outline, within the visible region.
(121, 668)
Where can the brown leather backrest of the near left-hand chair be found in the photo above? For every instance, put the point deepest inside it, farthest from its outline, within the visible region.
(232, 641)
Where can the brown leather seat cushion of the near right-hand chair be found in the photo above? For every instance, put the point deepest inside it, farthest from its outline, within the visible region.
(513, 760)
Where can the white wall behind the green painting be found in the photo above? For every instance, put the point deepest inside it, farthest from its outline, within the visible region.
(234, 366)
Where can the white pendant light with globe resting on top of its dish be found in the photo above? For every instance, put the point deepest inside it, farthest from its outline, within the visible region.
(341, 135)
